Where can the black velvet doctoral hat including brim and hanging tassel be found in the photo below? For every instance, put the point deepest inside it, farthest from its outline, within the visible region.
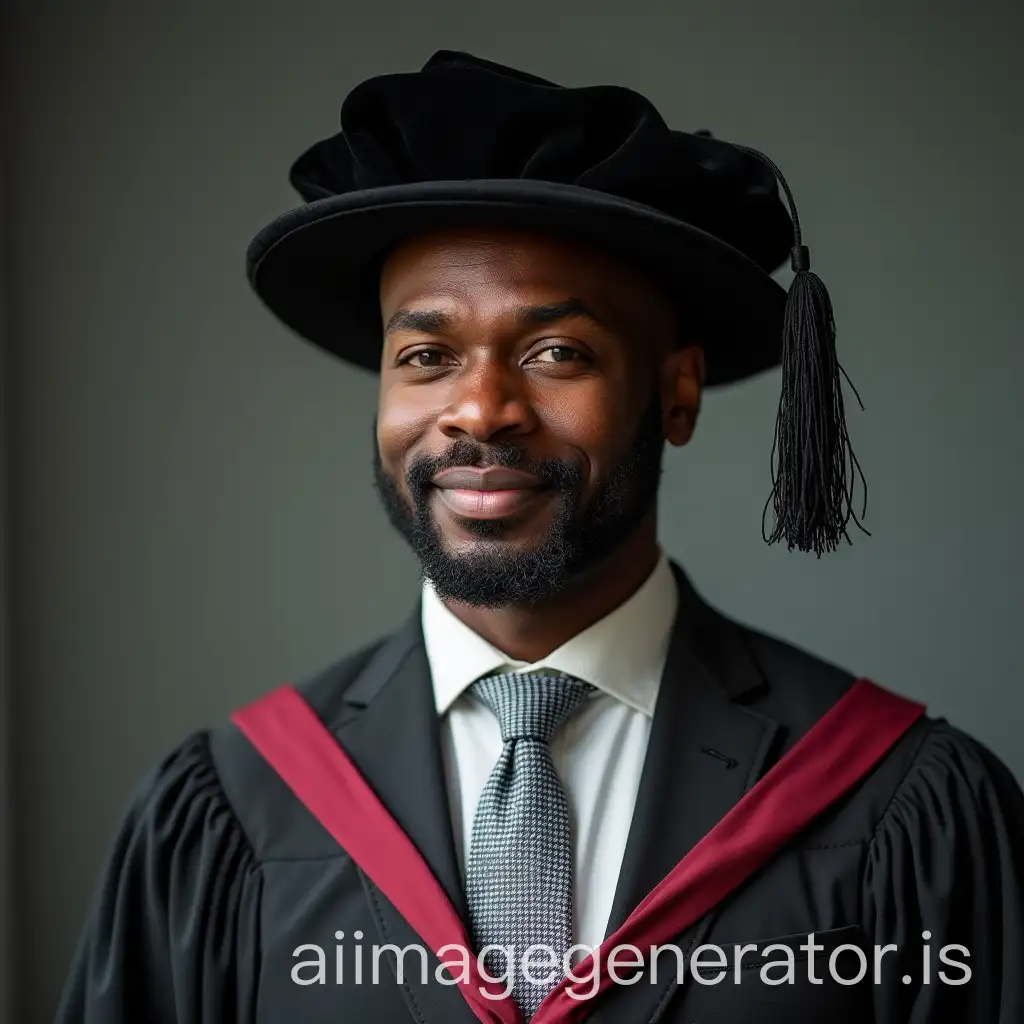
(466, 142)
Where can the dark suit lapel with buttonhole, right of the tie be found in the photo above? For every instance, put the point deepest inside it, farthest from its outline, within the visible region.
(706, 750)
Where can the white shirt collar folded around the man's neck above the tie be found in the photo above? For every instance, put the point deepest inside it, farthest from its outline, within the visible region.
(622, 655)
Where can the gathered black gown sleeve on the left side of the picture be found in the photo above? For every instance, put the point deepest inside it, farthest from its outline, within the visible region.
(173, 935)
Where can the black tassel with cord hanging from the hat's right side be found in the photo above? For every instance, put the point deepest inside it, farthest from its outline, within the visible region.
(815, 468)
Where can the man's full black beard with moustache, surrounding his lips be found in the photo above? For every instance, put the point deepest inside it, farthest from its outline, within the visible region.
(581, 535)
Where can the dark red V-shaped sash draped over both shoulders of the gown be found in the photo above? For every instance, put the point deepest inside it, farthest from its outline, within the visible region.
(850, 739)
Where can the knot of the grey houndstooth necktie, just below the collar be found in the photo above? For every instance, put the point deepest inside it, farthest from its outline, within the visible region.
(531, 705)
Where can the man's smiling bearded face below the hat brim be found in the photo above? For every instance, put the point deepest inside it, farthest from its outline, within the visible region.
(521, 423)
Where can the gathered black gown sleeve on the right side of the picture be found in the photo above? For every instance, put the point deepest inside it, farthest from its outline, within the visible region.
(949, 860)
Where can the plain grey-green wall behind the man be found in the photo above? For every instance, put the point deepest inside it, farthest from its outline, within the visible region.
(192, 509)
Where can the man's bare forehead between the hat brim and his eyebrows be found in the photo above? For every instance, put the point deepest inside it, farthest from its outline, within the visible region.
(482, 266)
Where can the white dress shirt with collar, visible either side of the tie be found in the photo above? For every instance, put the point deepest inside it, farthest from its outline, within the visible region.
(599, 754)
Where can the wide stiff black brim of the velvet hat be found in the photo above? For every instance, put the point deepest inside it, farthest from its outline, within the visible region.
(317, 268)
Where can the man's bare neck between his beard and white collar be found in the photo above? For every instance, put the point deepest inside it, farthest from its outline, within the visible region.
(530, 634)
